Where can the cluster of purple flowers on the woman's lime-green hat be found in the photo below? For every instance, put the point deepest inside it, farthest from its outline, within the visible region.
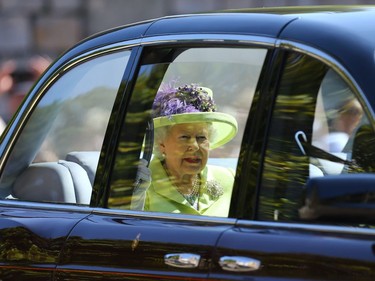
(170, 100)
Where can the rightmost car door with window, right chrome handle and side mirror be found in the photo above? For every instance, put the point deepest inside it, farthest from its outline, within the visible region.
(311, 218)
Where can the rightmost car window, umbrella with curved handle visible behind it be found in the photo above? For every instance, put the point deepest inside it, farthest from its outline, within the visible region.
(319, 128)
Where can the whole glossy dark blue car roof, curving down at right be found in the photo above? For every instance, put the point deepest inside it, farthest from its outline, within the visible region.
(342, 32)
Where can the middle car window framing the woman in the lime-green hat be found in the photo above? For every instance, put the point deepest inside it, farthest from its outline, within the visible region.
(167, 82)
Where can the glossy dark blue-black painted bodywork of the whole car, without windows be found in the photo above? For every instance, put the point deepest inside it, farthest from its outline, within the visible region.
(93, 244)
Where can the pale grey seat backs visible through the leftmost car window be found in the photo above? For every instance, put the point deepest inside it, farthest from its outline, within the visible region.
(68, 181)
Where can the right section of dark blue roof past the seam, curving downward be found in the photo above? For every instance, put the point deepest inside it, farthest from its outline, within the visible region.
(344, 36)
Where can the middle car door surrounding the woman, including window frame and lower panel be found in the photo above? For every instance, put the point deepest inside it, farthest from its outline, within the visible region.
(115, 242)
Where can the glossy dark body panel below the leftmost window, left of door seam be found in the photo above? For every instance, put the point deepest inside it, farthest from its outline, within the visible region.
(32, 239)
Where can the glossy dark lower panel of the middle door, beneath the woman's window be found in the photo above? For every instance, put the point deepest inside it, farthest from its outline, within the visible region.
(135, 246)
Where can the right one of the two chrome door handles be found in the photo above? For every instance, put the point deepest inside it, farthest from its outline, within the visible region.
(239, 264)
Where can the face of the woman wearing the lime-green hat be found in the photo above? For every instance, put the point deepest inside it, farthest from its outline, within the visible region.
(186, 147)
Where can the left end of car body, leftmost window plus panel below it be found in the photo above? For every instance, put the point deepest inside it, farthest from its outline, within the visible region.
(43, 193)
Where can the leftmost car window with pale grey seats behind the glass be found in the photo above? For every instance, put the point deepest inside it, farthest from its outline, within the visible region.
(56, 155)
